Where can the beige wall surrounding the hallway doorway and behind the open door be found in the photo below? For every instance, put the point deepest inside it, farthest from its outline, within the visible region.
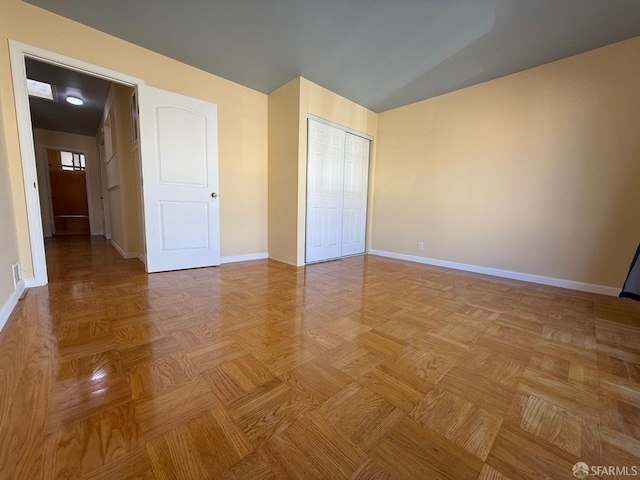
(242, 118)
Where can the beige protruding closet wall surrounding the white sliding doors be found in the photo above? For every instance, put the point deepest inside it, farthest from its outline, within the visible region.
(289, 107)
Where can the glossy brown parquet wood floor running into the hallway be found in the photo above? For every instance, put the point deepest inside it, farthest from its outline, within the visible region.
(363, 368)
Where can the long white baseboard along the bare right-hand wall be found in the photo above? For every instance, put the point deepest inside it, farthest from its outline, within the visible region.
(525, 277)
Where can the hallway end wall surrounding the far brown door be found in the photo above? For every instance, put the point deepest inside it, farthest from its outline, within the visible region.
(67, 141)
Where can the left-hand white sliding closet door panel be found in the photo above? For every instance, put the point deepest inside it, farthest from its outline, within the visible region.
(325, 187)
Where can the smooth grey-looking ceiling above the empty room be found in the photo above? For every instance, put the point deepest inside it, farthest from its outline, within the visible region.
(381, 54)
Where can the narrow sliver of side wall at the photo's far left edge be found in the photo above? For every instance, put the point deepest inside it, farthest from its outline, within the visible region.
(8, 239)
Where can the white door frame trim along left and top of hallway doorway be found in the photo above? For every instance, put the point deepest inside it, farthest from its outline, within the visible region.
(18, 52)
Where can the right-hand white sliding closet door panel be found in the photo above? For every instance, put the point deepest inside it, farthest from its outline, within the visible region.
(354, 208)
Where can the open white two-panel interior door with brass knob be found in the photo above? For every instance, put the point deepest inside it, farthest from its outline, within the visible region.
(179, 157)
